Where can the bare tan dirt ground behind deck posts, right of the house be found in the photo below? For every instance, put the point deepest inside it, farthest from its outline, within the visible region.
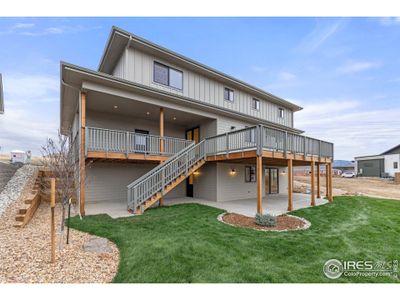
(368, 186)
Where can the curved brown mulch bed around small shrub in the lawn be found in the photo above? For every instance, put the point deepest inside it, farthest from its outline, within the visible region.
(283, 222)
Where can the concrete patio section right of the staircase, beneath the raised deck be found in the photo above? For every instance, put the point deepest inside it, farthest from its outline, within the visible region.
(272, 204)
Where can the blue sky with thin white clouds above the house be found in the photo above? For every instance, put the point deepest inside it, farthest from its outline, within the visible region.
(344, 72)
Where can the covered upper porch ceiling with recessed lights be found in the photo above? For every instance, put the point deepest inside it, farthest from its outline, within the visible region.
(106, 103)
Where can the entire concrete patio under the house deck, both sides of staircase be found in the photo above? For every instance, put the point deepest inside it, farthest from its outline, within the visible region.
(275, 204)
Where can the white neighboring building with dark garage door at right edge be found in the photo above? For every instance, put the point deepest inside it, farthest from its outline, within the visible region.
(381, 165)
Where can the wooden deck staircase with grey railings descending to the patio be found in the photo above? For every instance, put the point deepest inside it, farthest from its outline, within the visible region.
(151, 187)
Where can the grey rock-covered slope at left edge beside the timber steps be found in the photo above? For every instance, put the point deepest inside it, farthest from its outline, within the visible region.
(15, 186)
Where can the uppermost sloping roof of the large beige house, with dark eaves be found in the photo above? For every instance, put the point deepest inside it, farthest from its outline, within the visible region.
(119, 39)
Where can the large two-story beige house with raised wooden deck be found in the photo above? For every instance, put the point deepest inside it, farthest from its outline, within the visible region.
(154, 124)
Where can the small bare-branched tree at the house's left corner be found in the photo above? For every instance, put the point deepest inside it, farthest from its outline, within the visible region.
(60, 159)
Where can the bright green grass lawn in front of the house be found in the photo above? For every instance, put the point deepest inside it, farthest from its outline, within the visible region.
(186, 243)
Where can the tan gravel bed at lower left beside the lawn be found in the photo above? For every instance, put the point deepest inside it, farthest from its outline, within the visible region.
(25, 253)
